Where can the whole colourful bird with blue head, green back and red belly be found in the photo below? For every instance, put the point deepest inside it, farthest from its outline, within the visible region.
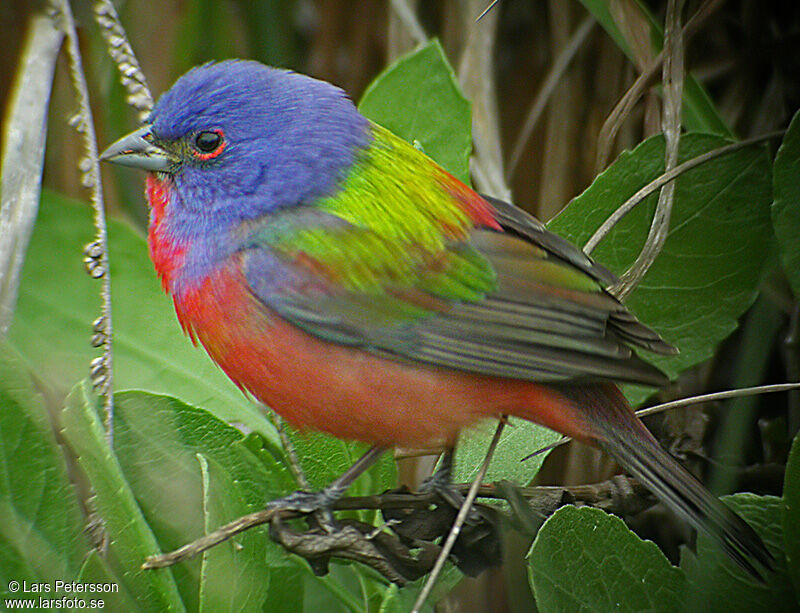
(340, 276)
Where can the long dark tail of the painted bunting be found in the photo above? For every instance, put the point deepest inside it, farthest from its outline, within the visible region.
(621, 434)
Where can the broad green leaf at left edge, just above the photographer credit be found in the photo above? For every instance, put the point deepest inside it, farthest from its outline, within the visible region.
(41, 532)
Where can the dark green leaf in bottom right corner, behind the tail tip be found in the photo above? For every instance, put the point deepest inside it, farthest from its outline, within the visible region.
(717, 584)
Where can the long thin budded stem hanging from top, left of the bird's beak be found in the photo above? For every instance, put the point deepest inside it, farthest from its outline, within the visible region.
(96, 252)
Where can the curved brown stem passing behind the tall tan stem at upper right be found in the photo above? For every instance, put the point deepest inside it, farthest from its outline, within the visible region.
(617, 116)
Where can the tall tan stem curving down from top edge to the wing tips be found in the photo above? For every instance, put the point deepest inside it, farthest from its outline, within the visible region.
(671, 126)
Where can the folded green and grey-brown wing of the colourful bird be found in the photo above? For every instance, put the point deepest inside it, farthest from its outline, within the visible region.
(519, 302)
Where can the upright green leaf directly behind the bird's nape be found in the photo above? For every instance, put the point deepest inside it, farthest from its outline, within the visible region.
(418, 98)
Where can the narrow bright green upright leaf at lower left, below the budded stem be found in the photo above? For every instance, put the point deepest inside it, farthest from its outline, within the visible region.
(130, 538)
